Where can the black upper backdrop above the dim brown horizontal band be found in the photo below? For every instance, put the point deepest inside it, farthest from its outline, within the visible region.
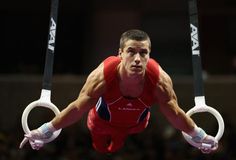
(88, 31)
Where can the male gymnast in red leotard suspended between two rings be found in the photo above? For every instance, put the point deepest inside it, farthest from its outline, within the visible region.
(118, 95)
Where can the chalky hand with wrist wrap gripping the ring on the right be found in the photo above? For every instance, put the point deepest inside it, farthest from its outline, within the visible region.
(208, 142)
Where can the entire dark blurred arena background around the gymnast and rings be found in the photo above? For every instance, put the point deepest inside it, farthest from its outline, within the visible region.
(89, 31)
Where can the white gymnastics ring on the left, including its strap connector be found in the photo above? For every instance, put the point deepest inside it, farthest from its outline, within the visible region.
(44, 101)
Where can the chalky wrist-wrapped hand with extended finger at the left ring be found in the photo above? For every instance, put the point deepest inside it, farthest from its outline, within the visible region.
(36, 137)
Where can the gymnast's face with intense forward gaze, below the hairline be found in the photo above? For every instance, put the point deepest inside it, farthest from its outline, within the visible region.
(134, 57)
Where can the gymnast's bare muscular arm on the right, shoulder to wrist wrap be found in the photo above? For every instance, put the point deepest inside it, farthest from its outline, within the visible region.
(167, 100)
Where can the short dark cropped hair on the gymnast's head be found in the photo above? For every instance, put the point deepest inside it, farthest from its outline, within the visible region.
(134, 34)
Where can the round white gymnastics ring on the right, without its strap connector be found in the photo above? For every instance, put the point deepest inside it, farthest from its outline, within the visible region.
(220, 121)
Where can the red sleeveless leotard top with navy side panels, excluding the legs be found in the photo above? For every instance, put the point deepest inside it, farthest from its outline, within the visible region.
(114, 110)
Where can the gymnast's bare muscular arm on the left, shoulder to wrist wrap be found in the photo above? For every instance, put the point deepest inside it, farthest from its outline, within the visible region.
(89, 94)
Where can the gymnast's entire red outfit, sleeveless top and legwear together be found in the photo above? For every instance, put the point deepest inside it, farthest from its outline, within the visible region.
(113, 105)
